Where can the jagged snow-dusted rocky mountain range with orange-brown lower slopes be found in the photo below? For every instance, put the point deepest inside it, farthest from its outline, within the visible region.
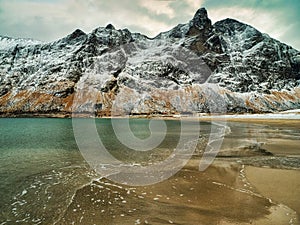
(195, 67)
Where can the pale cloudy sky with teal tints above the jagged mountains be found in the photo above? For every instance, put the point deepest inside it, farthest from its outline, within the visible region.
(49, 20)
